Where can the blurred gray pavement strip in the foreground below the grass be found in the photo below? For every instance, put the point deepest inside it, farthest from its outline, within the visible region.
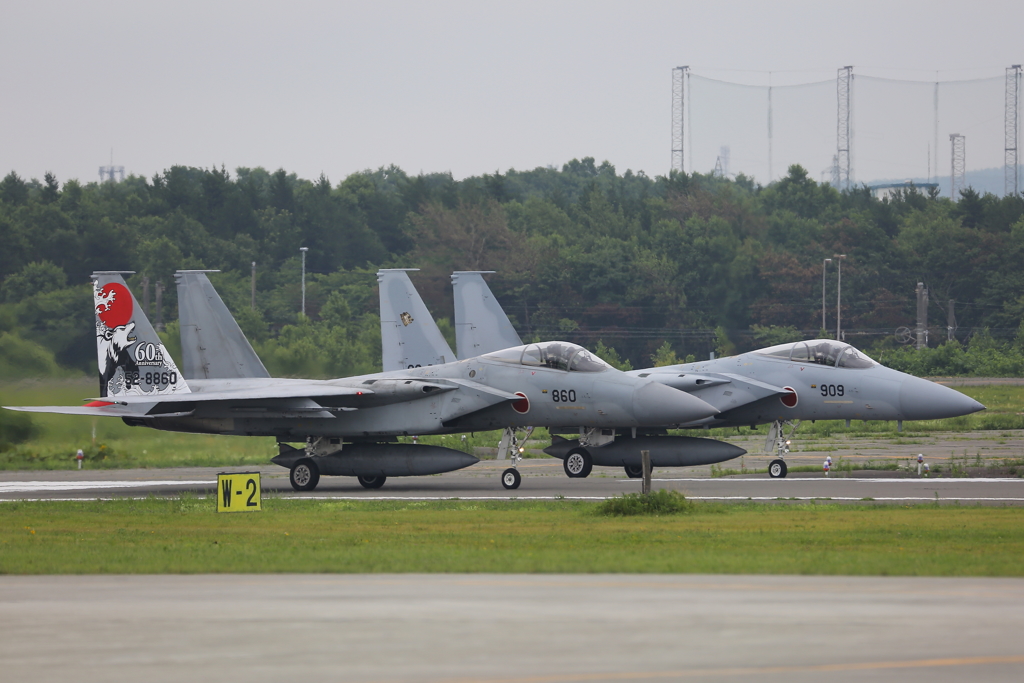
(514, 629)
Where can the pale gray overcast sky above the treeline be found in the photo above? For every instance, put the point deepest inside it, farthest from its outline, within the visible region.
(466, 88)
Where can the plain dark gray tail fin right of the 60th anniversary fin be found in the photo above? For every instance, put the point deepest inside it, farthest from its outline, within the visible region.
(214, 346)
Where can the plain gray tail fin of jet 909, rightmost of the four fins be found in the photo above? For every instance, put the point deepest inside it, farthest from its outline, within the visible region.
(481, 325)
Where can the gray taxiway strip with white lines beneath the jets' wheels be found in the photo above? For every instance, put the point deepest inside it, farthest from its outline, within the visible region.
(542, 480)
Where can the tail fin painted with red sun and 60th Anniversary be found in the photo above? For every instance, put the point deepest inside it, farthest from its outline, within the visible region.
(133, 360)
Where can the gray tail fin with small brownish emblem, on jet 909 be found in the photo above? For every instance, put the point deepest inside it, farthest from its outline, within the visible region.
(410, 337)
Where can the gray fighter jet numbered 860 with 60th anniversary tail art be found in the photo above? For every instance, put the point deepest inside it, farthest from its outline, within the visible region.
(350, 425)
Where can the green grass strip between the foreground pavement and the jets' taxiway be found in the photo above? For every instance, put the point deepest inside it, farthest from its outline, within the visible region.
(185, 536)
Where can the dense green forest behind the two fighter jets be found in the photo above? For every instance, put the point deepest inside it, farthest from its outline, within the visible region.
(638, 268)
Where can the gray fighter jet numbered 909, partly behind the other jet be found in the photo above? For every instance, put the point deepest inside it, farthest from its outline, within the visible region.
(822, 379)
